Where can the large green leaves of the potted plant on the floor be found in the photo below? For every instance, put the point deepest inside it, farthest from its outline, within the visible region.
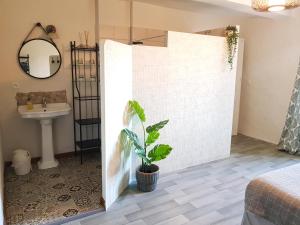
(159, 151)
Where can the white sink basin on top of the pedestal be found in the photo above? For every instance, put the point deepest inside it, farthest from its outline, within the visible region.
(51, 111)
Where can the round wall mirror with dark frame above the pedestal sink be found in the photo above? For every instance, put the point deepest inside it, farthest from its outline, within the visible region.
(39, 58)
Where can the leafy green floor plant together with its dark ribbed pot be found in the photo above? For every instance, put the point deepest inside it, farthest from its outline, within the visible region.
(147, 173)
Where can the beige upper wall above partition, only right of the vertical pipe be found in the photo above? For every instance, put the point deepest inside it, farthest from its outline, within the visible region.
(177, 19)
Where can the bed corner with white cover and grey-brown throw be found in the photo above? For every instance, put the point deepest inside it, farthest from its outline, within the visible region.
(274, 198)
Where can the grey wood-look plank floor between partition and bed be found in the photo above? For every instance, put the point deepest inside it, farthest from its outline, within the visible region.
(208, 194)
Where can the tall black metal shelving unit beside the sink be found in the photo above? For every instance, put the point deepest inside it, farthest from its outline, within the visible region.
(86, 98)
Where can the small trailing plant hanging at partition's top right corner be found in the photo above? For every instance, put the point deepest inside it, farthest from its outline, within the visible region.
(232, 37)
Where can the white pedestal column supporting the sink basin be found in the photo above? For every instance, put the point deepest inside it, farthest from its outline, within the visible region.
(47, 160)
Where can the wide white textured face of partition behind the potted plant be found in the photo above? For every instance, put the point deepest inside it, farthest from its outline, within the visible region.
(189, 83)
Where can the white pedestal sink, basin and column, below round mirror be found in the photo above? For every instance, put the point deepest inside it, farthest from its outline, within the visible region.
(45, 116)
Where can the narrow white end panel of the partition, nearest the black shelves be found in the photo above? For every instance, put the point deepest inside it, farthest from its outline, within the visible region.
(116, 91)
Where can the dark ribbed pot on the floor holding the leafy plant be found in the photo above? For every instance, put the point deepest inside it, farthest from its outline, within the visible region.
(147, 177)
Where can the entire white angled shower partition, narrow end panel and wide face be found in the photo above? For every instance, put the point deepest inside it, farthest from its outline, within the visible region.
(188, 82)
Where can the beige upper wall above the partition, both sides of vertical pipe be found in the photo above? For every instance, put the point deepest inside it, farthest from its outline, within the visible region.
(174, 15)
